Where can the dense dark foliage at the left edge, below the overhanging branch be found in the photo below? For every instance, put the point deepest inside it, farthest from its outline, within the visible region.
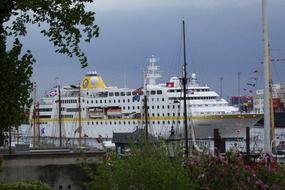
(15, 87)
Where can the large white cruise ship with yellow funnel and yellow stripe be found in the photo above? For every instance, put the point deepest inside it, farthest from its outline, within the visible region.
(105, 110)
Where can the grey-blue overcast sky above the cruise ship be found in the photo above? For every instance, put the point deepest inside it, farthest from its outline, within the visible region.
(224, 37)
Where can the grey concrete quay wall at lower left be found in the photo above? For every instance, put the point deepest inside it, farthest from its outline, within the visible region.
(59, 170)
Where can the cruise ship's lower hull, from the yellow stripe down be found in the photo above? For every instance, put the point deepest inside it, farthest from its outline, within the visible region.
(230, 126)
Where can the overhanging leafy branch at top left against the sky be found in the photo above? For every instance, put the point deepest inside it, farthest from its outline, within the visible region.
(65, 22)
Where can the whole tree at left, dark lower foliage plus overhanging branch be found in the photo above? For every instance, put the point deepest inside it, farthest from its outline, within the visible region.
(63, 22)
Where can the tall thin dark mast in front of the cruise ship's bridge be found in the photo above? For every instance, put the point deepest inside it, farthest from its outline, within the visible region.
(184, 83)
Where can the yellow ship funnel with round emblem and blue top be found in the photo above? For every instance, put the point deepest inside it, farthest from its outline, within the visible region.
(92, 81)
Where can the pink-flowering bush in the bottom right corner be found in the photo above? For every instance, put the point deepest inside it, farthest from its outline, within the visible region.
(231, 172)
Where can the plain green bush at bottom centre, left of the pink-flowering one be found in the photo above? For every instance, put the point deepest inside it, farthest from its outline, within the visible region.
(146, 168)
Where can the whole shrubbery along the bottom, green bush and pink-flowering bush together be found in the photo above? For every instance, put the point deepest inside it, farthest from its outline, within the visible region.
(150, 168)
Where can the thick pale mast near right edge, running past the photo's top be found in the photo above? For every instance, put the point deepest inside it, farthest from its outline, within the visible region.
(267, 142)
